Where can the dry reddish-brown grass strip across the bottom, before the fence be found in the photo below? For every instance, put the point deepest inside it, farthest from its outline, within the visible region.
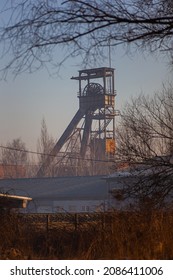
(119, 235)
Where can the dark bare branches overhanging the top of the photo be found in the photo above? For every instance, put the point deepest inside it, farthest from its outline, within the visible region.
(34, 28)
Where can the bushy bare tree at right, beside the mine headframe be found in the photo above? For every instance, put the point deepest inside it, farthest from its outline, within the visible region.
(145, 142)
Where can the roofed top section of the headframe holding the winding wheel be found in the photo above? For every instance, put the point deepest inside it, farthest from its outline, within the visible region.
(96, 88)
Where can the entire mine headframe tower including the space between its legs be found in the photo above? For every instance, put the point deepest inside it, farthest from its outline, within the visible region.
(88, 142)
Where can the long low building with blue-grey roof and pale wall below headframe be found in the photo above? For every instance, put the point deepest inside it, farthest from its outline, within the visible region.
(64, 194)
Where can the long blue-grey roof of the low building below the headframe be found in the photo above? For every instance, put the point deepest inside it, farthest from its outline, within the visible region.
(57, 188)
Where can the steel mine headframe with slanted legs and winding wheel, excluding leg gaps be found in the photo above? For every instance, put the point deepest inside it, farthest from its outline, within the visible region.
(96, 105)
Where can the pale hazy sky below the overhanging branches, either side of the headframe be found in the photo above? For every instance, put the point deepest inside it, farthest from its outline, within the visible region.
(30, 97)
